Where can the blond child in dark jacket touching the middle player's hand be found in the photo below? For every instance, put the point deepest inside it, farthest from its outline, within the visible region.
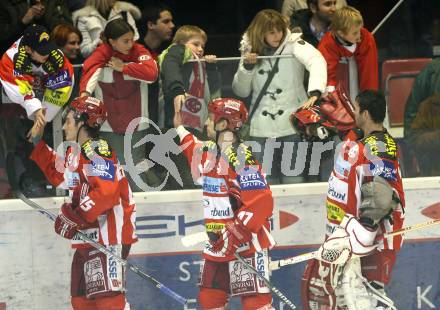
(191, 85)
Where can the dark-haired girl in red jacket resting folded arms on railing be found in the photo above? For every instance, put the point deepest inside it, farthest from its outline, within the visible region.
(119, 71)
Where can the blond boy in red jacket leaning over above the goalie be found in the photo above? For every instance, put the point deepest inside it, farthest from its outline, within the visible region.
(348, 38)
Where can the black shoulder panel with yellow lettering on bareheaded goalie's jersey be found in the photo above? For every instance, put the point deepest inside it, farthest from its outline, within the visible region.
(380, 144)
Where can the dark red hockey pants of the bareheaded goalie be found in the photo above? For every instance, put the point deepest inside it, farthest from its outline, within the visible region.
(378, 267)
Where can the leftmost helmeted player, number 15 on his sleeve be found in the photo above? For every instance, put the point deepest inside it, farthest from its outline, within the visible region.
(102, 205)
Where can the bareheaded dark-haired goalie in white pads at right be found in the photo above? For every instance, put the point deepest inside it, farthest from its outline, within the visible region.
(365, 199)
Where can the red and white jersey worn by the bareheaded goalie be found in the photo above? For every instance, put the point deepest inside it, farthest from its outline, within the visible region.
(357, 163)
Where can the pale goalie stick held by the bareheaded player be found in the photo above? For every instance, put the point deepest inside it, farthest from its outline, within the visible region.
(333, 255)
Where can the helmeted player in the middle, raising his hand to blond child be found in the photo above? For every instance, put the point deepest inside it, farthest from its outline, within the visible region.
(237, 205)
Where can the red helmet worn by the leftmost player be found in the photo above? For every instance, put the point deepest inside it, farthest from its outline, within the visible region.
(89, 109)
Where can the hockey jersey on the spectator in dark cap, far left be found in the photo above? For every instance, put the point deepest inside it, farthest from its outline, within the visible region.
(36, 88)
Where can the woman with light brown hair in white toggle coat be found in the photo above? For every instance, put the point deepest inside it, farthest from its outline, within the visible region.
(275, 143)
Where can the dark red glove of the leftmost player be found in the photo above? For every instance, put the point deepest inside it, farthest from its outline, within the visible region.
(68, 222)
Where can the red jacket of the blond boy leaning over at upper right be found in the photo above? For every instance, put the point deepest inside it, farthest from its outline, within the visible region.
(365, 54)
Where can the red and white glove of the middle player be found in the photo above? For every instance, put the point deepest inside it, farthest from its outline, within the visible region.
(232, 236)
